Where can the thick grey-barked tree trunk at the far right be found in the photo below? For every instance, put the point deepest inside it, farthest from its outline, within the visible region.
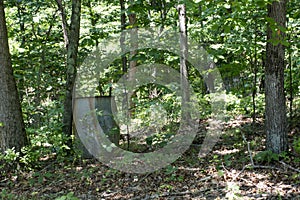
(276, 124)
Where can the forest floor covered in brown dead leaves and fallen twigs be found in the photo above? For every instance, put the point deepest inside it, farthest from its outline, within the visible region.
(226, 173)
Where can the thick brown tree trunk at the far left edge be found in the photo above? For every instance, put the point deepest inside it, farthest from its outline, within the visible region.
(12, 129)
